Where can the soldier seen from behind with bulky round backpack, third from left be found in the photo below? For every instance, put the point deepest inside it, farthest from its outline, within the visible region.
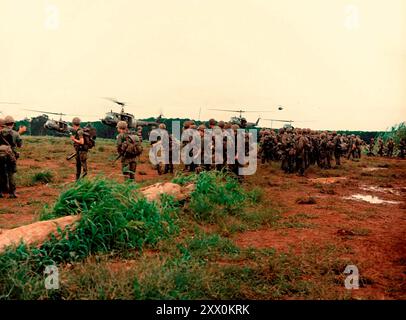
(128, 148)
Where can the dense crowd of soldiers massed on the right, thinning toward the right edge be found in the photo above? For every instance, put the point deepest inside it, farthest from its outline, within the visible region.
(297, 148)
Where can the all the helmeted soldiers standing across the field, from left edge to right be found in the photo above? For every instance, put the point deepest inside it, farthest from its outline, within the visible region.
(295, 148)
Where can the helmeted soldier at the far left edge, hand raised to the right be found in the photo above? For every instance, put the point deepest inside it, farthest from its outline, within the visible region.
(11, 139)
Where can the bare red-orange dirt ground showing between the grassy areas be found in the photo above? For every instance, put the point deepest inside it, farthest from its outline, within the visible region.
(375, 233)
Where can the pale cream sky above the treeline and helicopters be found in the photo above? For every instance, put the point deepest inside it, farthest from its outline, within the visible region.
(339, 63)
